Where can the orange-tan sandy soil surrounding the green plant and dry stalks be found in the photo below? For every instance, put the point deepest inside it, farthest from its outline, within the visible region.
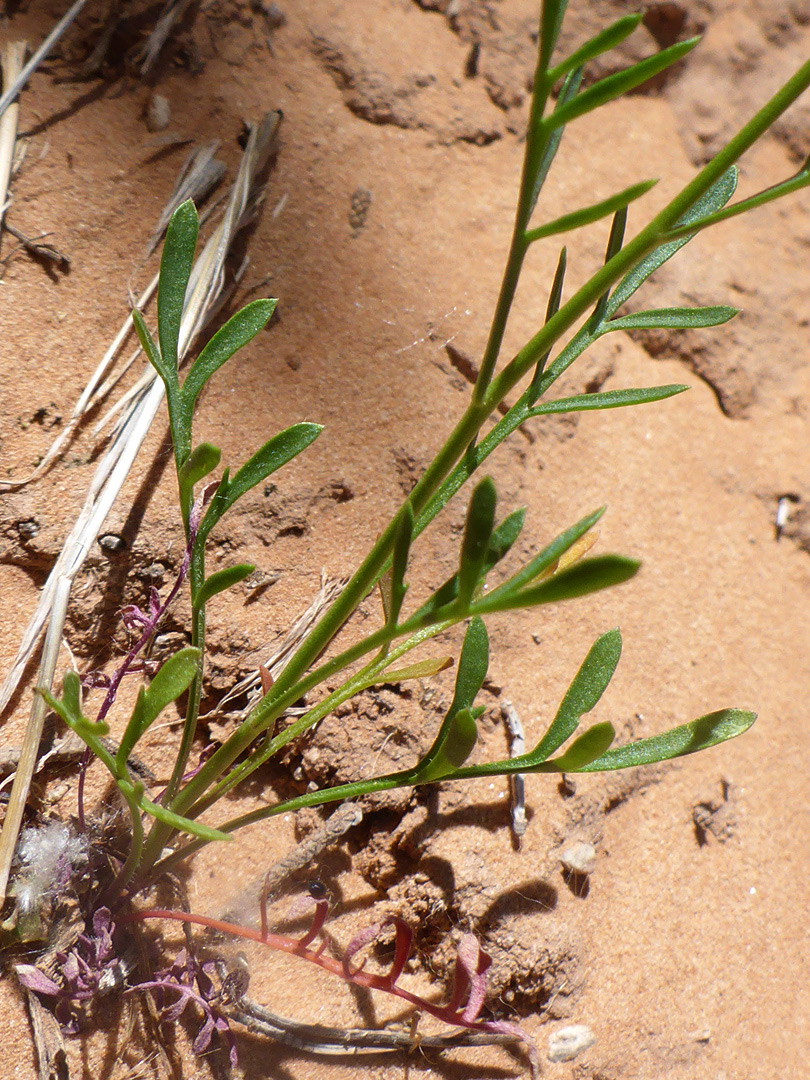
(384, 233)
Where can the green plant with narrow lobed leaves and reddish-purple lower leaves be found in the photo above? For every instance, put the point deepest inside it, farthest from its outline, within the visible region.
(169, 830)
